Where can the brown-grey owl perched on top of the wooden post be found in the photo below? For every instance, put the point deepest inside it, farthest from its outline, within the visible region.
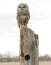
(23, 14)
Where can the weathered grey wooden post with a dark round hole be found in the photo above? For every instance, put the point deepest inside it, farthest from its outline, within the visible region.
(28, 46)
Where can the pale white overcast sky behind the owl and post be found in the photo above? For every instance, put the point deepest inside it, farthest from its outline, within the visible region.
(40, 23)
